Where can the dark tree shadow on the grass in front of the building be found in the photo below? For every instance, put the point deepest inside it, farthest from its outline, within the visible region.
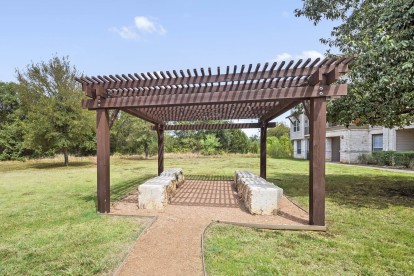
(355, 191)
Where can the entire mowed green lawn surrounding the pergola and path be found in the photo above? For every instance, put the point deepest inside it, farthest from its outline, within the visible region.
(49, 224)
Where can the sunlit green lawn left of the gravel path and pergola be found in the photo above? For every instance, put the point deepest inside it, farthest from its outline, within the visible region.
(49, 223)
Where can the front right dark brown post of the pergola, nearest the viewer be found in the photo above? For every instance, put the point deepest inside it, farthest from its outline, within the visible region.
(317, 147)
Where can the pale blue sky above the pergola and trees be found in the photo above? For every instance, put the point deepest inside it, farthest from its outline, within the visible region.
(113, 37)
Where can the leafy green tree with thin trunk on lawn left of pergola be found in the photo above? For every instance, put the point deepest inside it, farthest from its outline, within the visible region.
(51, 101)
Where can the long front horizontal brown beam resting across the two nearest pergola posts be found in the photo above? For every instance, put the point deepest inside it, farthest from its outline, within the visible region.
(262, 95)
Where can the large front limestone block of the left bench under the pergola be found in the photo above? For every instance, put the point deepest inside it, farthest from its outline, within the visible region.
(156, 192)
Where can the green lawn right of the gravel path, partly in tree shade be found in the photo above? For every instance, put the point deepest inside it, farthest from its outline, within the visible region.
(369, 216)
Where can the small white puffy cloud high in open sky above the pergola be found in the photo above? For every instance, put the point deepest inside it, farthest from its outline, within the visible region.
(143, 26)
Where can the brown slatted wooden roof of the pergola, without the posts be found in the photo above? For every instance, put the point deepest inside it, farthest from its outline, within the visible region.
(249, 91)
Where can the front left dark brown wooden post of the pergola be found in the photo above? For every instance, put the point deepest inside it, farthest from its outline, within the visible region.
(102, 156)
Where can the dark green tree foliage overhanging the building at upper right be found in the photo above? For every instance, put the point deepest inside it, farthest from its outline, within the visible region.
(380, 34)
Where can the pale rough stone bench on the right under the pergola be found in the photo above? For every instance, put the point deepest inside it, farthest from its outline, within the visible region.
(260, 197)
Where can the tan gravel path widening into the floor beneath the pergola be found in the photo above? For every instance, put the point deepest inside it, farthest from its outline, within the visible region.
(172, 244)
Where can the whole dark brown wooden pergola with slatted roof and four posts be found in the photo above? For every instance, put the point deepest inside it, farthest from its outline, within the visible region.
(246, 92)
